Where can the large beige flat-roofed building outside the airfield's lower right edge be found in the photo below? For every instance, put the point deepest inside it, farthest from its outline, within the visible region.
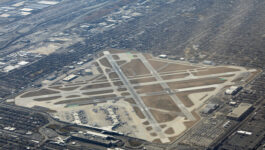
(240, 112)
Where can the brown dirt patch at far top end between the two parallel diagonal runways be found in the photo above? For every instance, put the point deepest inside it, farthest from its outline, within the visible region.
(130, 68)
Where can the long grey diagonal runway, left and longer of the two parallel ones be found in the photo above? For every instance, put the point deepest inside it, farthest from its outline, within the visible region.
(137, 98)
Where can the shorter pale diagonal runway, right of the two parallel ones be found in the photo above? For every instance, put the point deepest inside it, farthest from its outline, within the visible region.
(166, 87)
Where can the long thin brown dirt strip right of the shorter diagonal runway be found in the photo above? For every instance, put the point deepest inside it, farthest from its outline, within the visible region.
(195, 82)
